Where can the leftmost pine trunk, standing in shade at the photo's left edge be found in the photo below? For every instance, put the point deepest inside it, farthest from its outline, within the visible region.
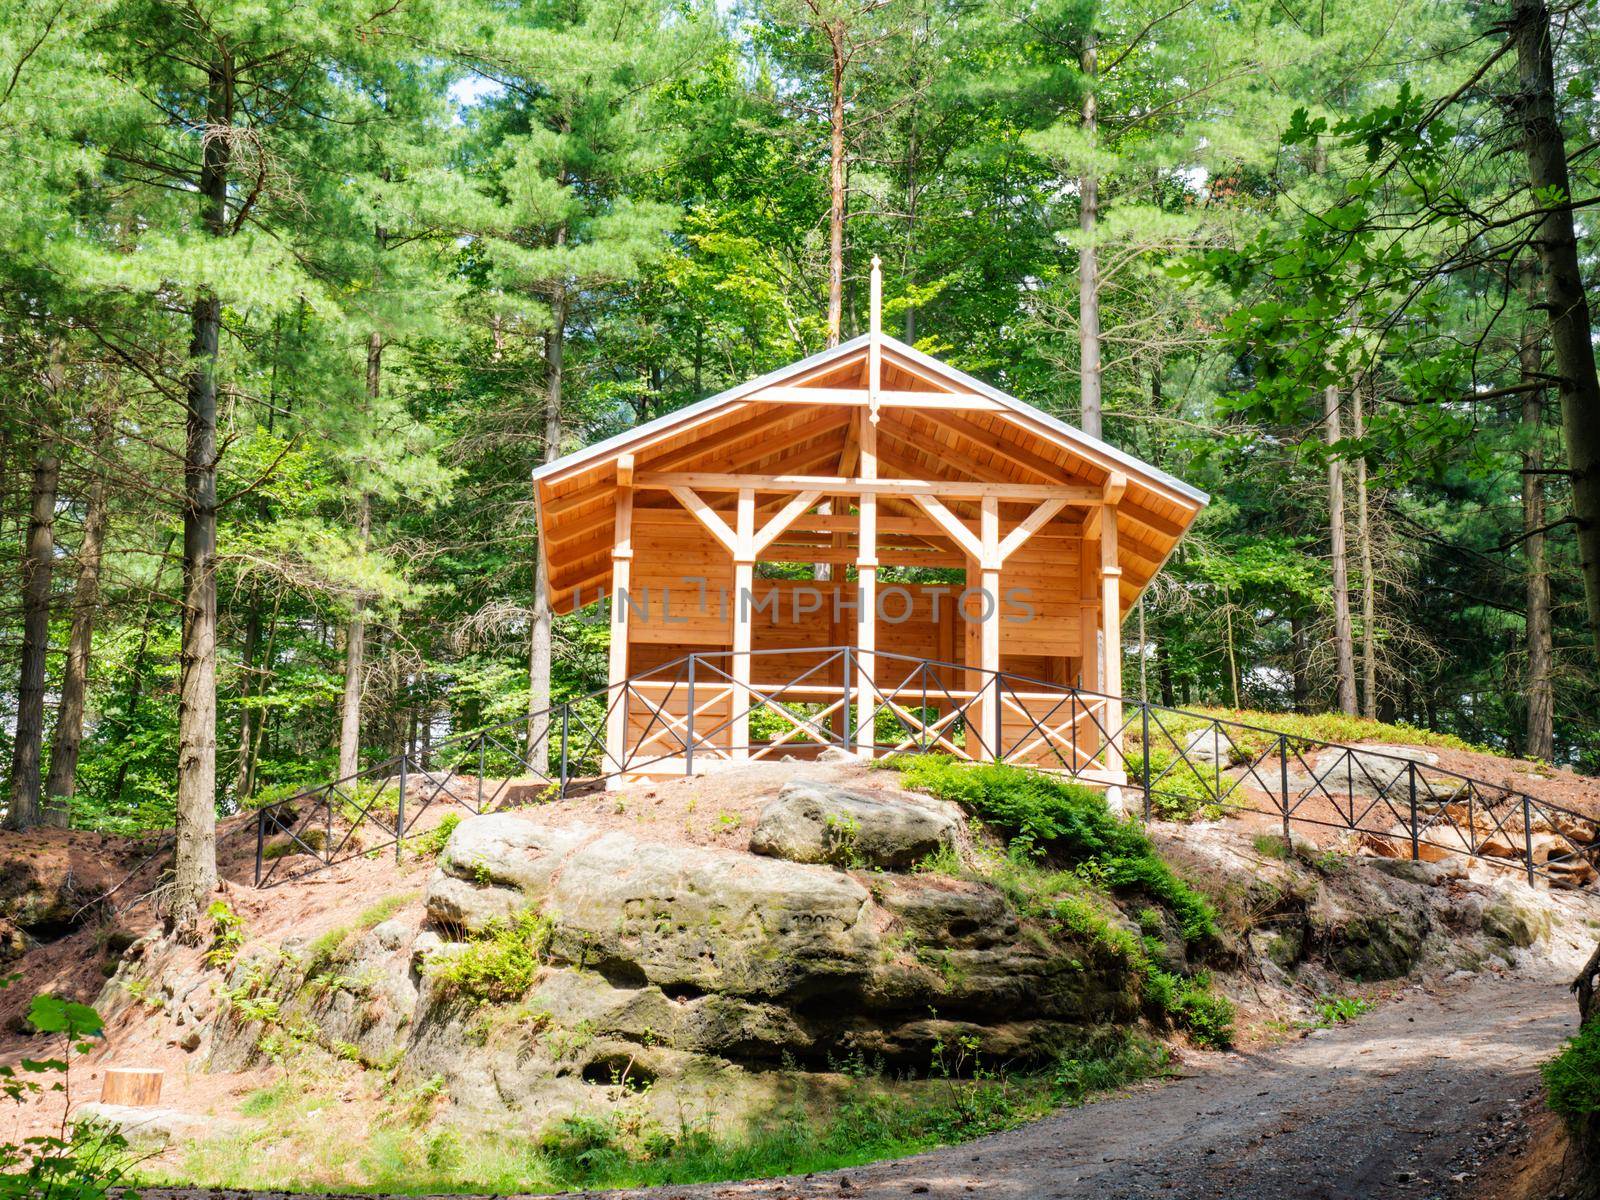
(38, 569)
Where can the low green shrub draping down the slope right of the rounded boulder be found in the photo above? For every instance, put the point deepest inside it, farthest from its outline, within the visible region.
(1063, 822)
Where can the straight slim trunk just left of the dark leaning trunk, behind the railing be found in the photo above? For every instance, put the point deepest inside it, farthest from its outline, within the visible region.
(1537, 583)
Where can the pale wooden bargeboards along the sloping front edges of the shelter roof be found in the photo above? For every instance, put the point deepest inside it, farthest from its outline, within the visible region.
(1018, 412)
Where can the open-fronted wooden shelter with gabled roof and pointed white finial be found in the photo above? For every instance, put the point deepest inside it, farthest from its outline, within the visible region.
(868, 498)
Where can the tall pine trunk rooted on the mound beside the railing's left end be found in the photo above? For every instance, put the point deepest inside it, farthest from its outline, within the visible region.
(194, 871)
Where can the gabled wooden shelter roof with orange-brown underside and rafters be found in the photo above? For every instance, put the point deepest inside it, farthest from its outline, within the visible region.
(966, 431)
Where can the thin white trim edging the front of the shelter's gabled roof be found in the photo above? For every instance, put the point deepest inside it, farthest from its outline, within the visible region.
(668, 422)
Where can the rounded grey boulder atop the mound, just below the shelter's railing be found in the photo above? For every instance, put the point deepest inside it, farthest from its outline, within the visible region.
(825, 823)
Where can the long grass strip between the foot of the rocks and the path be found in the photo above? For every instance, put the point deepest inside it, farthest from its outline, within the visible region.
(302, 1137)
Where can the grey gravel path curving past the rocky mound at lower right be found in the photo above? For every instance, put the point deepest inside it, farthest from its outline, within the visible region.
(1402, 1103)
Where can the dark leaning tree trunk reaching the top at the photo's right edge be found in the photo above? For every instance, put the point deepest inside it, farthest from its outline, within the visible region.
(1572, 327)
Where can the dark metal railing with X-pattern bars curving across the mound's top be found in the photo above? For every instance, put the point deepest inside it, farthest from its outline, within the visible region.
(682, 718)
